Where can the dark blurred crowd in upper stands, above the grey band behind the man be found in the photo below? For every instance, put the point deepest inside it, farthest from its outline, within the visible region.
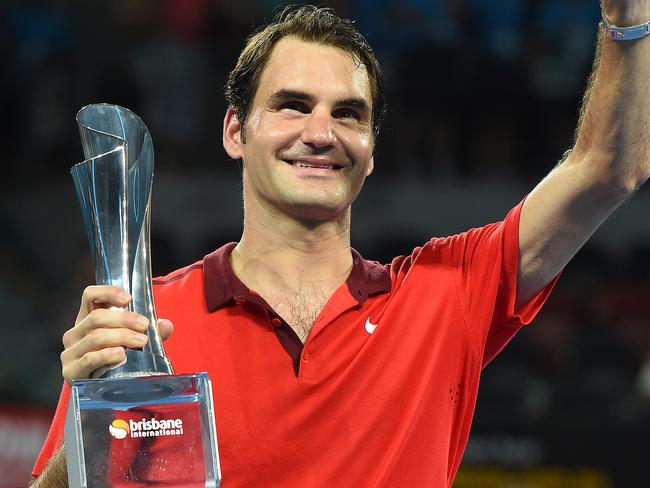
(477, 88)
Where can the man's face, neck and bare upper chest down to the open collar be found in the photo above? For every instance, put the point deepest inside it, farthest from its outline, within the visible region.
(307, 149)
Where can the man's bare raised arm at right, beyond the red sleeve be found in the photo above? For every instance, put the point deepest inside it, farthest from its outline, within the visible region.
(609, 161)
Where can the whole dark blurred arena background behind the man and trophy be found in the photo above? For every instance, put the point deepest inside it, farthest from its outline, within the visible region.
(483, 101)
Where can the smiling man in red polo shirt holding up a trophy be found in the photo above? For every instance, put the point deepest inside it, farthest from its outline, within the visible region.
(330, 370)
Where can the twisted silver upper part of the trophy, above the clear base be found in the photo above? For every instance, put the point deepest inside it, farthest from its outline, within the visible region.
(114, 189)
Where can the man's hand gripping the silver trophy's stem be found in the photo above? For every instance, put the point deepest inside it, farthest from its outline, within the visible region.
(102, 331)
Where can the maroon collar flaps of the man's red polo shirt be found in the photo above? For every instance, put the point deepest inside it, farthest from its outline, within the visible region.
(222, 285)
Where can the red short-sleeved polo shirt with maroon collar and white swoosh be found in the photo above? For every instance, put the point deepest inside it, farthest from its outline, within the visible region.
(383, 391)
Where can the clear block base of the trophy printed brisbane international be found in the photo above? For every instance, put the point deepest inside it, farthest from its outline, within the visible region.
(150, 431)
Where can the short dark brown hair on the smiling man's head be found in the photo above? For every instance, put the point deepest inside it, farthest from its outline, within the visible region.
(310, 24)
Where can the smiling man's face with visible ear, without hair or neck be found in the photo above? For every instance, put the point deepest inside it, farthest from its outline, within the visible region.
(309, 139)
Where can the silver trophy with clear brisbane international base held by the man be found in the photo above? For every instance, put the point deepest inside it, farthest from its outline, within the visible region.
(136, 423)
